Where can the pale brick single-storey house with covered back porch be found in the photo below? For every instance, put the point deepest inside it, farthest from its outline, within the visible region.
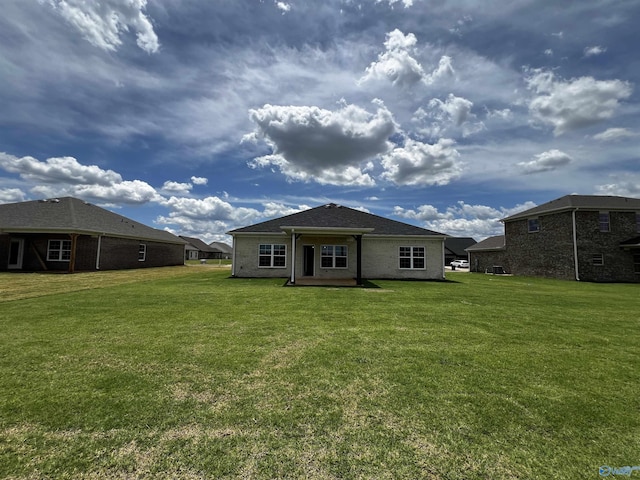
(336, 242)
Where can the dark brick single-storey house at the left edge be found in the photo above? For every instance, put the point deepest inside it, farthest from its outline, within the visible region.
(68, 234)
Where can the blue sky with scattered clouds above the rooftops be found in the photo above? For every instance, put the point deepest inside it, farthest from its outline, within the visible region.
(200, 116)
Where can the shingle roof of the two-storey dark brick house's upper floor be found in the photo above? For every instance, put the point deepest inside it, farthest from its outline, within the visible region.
(586, 202)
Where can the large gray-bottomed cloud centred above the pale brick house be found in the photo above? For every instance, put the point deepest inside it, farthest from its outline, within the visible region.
(329, 147)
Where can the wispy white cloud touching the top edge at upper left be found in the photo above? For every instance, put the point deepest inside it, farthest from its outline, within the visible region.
(102, 23)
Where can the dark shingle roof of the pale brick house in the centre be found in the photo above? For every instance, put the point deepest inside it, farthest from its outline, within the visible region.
(337, 216)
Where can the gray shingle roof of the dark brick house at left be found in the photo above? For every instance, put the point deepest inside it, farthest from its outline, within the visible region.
(72, 215)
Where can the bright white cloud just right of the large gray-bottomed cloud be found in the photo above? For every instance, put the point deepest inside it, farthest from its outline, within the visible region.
(418, 163)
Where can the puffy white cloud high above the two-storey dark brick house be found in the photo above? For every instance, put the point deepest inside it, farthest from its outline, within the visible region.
(576, 103)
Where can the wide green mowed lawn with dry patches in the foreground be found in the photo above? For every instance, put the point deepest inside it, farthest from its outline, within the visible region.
(186, 373)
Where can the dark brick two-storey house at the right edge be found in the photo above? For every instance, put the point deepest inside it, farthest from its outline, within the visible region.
(581, 237)
